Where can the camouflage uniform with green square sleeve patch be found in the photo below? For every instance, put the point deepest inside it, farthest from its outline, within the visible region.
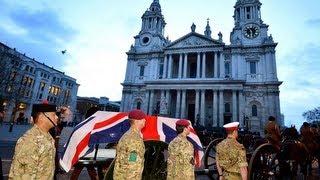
(130, 156)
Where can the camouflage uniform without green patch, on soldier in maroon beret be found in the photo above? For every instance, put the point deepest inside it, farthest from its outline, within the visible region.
(180, 160)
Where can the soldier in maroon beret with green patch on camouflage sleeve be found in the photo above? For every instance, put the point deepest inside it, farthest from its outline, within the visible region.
(129, 161)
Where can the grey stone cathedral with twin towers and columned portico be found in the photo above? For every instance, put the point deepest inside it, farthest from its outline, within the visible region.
(201, 78)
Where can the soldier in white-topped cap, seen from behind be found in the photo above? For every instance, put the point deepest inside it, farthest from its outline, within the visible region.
(231, 155)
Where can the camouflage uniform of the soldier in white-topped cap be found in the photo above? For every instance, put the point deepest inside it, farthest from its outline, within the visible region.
(231, 156)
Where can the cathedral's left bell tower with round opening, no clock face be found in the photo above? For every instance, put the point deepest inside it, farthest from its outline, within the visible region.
(151, 36)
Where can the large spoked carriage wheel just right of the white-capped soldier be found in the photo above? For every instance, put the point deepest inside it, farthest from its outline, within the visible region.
(264, 163)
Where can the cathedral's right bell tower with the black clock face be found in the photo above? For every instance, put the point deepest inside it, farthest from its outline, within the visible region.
(249, 28)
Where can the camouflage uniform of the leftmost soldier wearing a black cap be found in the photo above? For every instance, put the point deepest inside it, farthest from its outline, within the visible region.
(34, 156)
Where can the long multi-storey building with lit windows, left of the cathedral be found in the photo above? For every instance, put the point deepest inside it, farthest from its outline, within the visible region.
(25, 81)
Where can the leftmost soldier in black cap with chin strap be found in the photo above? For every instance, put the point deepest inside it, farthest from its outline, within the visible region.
(35, 151)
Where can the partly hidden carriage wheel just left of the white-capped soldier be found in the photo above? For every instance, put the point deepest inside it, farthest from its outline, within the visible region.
(210, 157)
